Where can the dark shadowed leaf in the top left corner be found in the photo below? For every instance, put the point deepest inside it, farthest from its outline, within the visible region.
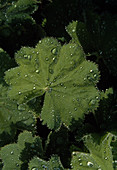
(17, 9)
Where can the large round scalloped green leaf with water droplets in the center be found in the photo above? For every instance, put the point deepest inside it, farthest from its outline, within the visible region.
(63, 74)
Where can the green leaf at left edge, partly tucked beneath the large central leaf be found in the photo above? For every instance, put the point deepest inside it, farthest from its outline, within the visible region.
(13, 117)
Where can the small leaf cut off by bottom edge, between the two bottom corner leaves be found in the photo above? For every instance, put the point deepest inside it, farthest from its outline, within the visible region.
(53, 163)
